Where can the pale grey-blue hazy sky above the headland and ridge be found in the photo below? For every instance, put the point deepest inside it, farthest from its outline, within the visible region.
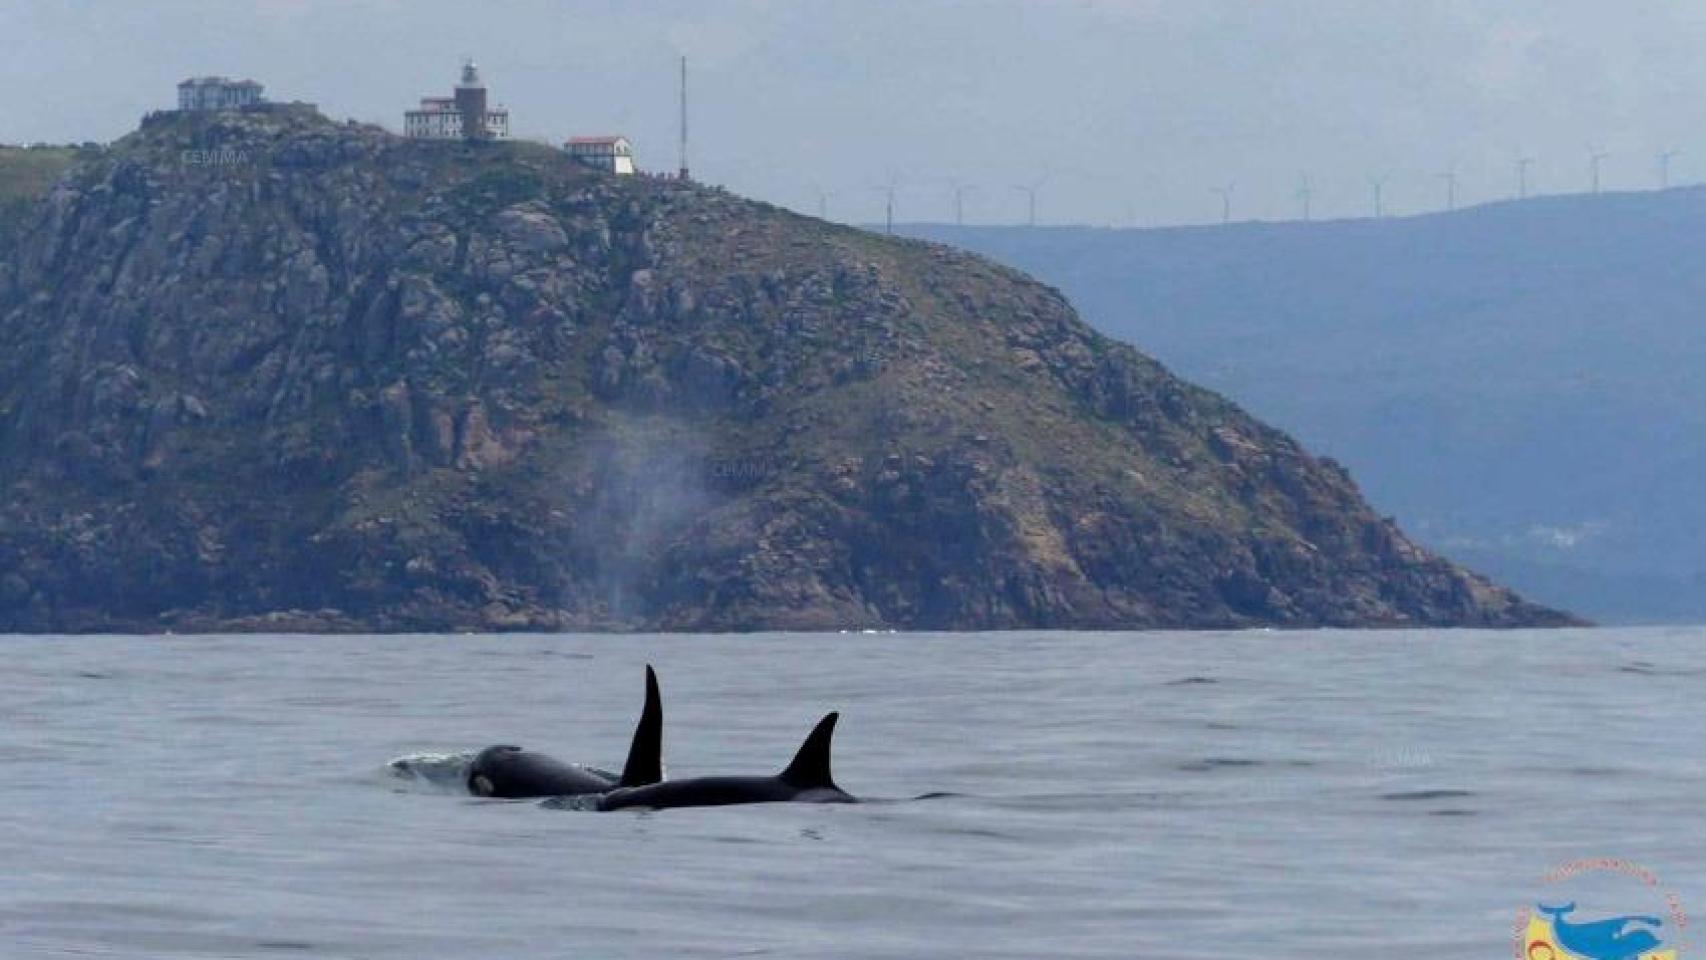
(1113, 112)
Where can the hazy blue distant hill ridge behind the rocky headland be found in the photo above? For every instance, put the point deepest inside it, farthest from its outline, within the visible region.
(1521, 385)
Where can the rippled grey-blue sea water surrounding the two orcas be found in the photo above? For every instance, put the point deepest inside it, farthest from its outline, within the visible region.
(1152, 795)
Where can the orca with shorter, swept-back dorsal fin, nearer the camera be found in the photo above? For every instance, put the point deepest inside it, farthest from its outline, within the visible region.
(808, 780)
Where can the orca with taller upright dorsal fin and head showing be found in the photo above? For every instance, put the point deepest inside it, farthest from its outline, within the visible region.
(513, 773)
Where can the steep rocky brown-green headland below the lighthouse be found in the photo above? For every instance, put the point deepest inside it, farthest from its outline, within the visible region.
(265, 371)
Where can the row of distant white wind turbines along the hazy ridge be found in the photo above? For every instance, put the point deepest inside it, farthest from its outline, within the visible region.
(1227, 194)
